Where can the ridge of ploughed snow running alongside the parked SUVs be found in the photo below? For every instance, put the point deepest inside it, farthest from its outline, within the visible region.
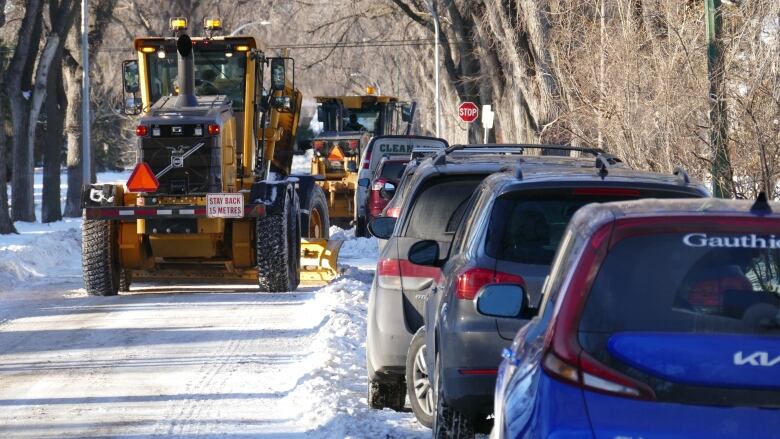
(330, 397)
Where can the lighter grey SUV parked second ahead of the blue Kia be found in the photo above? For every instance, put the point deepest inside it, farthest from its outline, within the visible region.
(429, 204)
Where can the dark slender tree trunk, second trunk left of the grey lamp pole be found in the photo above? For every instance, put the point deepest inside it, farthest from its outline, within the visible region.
(51, 209)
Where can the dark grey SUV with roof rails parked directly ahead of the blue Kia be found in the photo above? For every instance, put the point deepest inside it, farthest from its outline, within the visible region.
(510, 231)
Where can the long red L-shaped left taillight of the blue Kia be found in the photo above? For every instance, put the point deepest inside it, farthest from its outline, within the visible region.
(563, 356)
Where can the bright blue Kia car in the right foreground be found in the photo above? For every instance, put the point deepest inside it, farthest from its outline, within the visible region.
(659, 319)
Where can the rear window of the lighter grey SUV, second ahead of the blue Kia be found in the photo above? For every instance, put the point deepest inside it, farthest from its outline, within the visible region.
(439, 206)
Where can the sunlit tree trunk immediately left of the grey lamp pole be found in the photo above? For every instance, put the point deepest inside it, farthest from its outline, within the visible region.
(73, 80)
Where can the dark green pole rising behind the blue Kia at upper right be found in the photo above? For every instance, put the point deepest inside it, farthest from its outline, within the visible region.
(721, 166)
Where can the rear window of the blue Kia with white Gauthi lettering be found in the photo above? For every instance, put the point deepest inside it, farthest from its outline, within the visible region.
(687, 282)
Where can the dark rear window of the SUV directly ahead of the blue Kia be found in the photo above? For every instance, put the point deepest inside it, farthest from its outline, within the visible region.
(527, 226)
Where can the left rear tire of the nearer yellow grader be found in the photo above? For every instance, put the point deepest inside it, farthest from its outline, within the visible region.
(99, 259)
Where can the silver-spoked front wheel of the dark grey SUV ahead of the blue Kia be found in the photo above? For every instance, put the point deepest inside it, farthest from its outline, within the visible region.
(418, 384)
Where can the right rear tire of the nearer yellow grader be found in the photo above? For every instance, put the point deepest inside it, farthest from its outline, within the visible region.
(277, 250)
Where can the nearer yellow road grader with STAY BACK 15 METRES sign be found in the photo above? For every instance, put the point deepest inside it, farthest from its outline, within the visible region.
(212, 195)
